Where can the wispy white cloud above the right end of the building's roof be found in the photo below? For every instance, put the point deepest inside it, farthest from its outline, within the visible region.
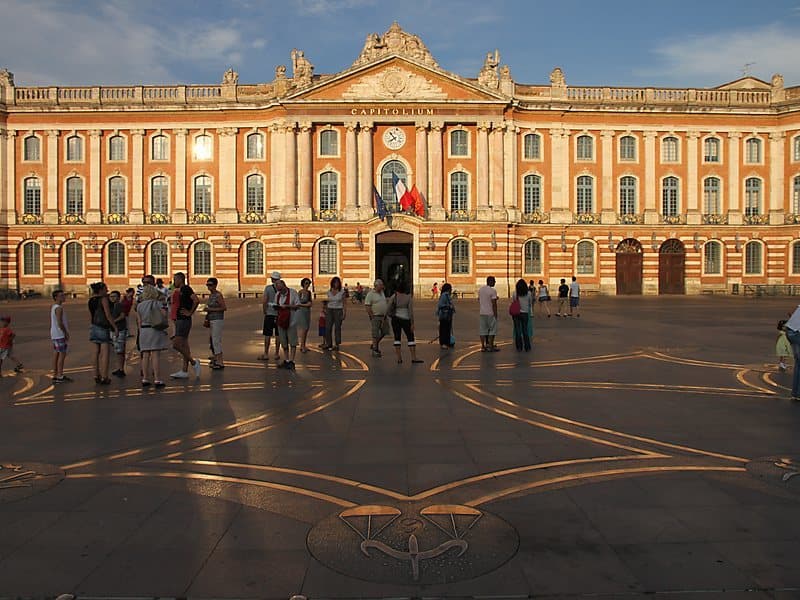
(709, 60)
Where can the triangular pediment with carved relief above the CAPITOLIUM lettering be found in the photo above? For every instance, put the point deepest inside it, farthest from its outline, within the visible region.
(396, 78)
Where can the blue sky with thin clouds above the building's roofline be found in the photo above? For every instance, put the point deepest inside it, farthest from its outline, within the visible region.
(680, 43)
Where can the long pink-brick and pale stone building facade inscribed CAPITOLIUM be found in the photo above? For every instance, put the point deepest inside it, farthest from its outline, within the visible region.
(633, 190)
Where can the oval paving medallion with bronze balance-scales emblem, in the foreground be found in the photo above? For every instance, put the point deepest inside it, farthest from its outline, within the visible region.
(413, 543)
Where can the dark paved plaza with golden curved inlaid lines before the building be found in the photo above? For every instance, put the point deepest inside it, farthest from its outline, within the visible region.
(647, 448)
